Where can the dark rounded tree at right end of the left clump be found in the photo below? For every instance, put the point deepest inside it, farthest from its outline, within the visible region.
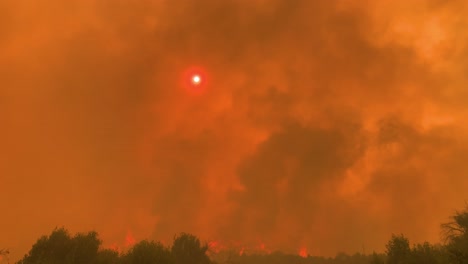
(187, 249)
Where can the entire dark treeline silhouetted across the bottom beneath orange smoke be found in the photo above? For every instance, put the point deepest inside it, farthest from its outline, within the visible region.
(61, 248)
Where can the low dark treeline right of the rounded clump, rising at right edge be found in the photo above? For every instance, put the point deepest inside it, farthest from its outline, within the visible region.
(453, 250)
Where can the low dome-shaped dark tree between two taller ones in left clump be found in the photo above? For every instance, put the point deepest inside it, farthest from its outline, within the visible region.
(146, 252)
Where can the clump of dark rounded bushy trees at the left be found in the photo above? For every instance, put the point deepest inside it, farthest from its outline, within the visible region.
(61, 248)
